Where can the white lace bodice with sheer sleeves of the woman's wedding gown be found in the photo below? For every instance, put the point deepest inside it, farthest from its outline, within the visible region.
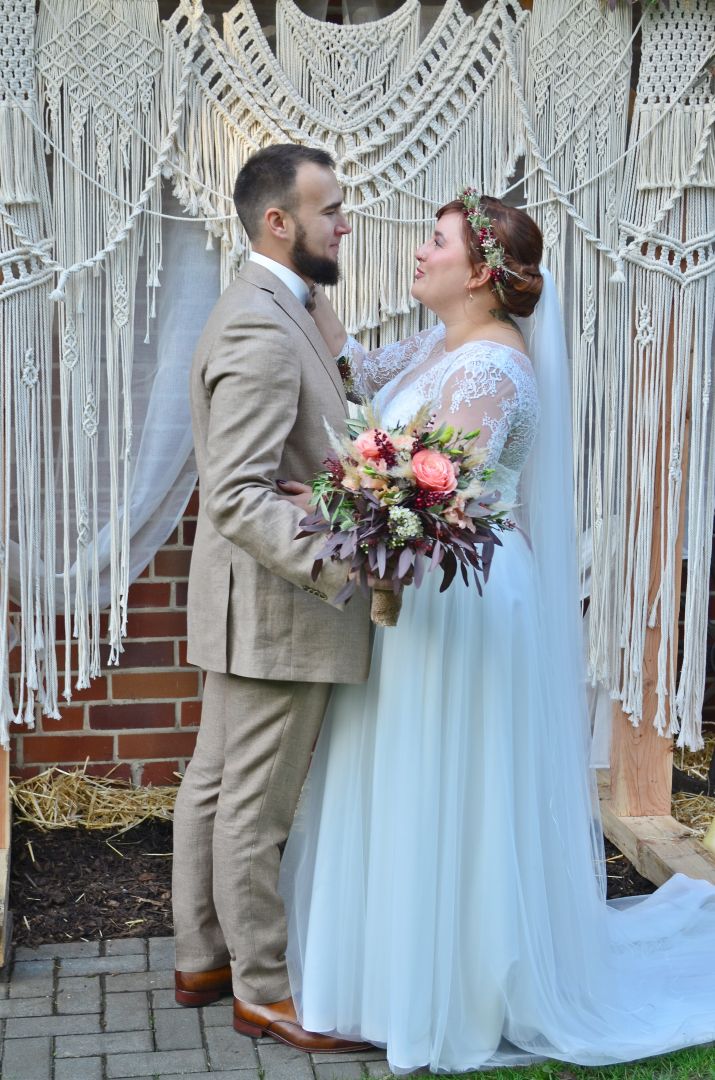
(482, 385)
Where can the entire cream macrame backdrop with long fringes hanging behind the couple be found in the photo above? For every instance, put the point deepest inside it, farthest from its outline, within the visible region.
(412, 105)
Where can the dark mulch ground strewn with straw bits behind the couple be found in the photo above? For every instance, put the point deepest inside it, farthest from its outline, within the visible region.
(74, 884)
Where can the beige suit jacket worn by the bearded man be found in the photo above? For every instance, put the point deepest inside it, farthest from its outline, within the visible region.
(262, 382)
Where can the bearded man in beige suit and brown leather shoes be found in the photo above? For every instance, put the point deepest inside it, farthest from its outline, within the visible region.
(271, 640)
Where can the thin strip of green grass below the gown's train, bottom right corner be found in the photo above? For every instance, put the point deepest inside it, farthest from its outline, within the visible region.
(697, 1063)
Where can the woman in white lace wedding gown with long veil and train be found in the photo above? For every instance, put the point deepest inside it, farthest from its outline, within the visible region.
(444, 877)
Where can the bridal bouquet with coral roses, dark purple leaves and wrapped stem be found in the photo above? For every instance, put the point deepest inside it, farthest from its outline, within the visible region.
(399, 503)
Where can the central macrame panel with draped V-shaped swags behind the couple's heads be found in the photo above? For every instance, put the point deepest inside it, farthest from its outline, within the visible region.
(448, 117)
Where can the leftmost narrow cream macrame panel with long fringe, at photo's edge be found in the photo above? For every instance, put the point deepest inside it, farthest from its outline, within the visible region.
(28, 510)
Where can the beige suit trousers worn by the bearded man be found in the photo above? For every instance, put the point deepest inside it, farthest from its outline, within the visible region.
(234, 813)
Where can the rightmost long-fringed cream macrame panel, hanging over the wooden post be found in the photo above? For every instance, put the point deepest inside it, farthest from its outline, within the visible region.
(668, 225)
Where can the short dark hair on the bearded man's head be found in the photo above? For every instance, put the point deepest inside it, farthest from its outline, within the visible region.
(268, 179)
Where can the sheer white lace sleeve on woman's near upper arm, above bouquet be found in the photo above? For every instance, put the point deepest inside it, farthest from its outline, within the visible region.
(481, 396)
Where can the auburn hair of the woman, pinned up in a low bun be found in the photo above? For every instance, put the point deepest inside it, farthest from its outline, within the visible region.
(523, 245)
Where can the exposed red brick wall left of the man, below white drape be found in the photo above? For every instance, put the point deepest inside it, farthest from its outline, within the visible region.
(140, 719)
